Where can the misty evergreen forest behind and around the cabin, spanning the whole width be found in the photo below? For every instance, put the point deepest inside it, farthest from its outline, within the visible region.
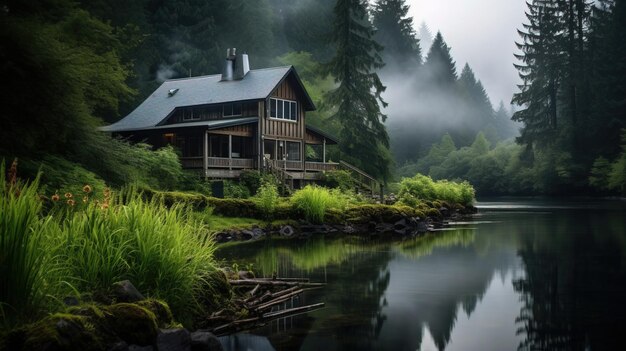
(70, 66)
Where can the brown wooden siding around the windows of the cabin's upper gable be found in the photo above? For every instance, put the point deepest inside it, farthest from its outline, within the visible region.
(284, 129)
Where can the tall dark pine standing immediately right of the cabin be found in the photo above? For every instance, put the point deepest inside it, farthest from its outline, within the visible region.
(357, 99)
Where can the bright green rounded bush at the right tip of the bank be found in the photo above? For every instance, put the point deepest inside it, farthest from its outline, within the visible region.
(422, 188)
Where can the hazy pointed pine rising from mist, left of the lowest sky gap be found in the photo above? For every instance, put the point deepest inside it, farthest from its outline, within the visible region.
(439, 64)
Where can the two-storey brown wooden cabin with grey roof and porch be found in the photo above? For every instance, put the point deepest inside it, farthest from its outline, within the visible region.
(240, 119)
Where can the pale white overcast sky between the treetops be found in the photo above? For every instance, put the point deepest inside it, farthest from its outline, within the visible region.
(480, 32)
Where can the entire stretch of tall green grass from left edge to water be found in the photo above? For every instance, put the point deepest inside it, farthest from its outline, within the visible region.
(86, 247)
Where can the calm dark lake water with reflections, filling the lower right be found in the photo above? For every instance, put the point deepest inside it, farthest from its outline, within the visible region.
(521, 275)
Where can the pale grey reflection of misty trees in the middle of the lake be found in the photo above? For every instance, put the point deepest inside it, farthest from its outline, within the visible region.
(446, 275)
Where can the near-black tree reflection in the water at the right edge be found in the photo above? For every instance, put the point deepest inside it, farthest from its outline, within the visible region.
(575, 283)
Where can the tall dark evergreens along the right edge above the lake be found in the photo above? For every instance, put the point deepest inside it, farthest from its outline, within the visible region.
(573, 94)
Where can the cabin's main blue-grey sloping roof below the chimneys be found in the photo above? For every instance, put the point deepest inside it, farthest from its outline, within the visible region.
(256, 85)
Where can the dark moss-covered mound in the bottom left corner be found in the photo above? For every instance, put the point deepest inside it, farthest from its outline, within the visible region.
(57, 332)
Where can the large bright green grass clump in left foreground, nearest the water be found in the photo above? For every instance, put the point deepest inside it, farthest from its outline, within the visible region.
(165, 252)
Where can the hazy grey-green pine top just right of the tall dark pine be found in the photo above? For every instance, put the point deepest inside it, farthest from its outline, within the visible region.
(395, 30)
